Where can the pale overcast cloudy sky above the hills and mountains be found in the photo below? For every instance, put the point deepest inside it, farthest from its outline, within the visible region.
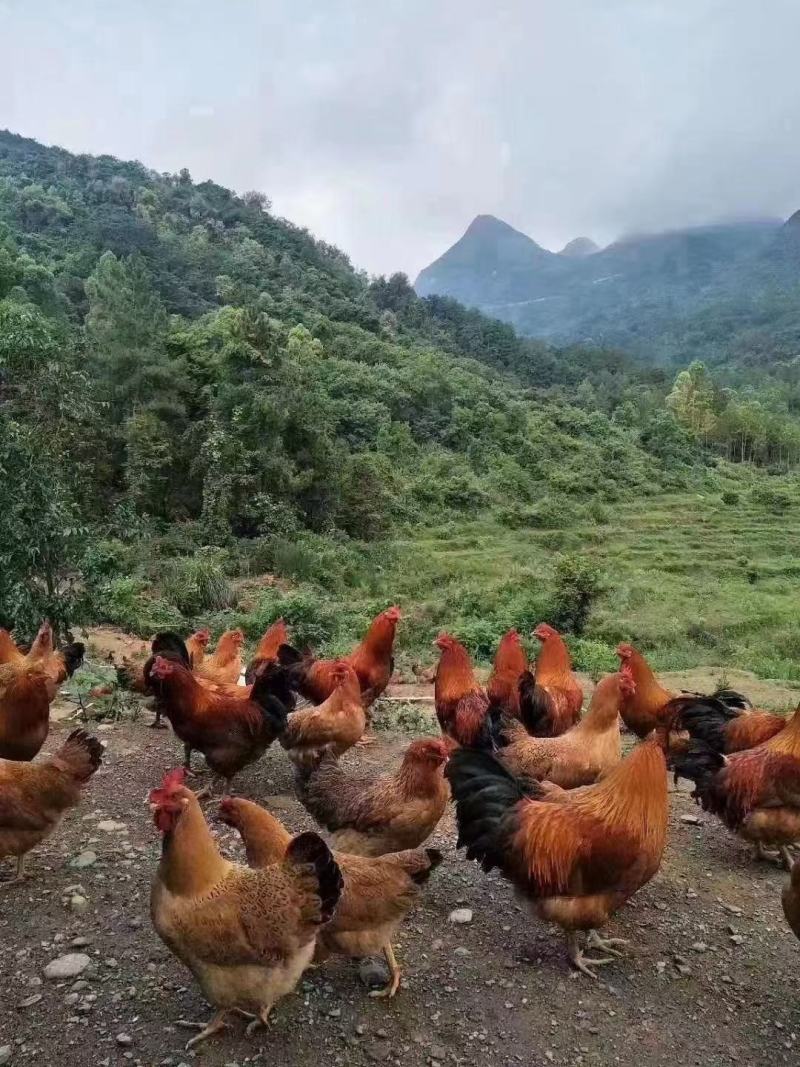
(386, 126)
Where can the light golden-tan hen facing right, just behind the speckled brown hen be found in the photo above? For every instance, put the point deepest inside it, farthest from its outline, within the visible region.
(333, 727)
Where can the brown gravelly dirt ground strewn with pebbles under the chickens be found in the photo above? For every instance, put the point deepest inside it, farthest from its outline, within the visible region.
(711, 977)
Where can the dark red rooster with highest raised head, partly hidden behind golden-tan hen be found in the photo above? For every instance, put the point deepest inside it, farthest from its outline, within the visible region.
(373, 661)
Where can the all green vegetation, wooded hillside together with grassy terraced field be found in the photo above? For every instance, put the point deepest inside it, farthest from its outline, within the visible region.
(196, 395)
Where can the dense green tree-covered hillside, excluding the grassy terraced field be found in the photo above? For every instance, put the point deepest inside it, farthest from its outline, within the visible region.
(195, 392)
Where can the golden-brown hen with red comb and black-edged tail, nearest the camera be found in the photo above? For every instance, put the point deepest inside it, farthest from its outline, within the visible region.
(246, 935)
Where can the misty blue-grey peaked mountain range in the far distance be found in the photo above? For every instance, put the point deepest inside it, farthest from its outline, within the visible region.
(722, 292)
